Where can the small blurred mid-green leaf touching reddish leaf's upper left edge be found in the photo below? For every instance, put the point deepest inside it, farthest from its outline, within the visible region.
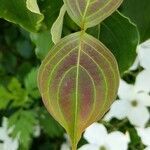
(43, 42)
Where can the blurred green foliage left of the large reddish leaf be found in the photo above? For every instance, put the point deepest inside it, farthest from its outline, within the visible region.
(19, 96)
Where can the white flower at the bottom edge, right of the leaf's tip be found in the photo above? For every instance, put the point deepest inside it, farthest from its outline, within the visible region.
(99, 139)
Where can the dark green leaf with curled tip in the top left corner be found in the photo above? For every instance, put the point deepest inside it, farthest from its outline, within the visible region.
(17, 12)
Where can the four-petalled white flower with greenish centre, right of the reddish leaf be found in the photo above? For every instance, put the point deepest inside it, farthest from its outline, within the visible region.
(134, 100)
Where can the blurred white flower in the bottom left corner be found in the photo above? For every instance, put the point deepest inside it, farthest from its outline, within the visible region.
(7, 142)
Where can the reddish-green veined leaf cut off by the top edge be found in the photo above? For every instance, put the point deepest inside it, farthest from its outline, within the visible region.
(88, 13)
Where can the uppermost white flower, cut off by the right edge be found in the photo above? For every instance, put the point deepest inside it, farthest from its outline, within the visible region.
(143, 57)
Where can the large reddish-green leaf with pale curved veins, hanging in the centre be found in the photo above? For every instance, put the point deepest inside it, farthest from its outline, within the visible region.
(78, 81)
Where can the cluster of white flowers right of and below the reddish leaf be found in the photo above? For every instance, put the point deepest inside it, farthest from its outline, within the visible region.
(132, 105)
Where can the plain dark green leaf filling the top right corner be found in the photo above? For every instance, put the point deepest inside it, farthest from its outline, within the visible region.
(139, 12)
